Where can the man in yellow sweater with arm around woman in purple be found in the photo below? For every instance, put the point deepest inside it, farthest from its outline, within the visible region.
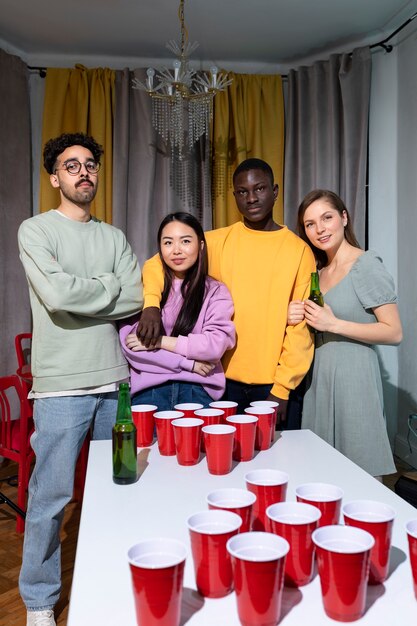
(265, 266)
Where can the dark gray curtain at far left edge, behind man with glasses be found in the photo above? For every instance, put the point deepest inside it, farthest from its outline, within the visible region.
(15, 203)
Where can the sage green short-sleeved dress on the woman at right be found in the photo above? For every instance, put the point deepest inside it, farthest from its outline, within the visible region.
(343, 403)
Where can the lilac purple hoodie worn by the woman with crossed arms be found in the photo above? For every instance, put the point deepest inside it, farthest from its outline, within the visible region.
(212, 335)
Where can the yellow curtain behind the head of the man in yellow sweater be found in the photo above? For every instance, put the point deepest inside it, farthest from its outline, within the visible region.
(248, 122)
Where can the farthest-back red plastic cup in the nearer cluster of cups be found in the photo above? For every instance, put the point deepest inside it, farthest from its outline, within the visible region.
(269, 487)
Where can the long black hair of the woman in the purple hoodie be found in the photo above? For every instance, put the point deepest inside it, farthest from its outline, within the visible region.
(193, 287)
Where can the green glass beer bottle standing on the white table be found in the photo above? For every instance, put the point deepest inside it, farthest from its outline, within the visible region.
(124, 440)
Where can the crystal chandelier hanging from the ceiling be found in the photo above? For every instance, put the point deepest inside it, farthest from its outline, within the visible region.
(182, 99)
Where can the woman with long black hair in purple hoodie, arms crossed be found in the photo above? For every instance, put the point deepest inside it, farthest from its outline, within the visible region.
(196, 312)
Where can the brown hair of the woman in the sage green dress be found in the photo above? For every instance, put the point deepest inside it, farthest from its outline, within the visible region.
(336, 203)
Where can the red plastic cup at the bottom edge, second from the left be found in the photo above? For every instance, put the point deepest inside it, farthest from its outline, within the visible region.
(258, 572)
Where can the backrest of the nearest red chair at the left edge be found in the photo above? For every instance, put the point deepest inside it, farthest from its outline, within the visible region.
(15, 415)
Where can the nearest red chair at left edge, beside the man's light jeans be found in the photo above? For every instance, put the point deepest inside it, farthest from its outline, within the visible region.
(16, 426)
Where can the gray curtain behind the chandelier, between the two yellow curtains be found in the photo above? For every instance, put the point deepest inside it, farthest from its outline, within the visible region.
(146, 183)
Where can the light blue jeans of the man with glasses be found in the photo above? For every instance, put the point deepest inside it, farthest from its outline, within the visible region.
(61, 425)
